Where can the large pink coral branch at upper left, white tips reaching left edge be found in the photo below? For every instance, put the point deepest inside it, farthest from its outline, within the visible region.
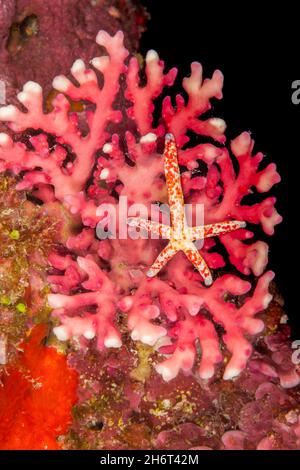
(70, 179)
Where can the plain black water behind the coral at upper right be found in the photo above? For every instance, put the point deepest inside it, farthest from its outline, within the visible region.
(257, 47)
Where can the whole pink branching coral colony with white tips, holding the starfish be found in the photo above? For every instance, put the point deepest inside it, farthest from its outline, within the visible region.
(199, 320)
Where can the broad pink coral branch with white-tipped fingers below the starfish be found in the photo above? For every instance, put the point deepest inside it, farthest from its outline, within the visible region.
(237, 322)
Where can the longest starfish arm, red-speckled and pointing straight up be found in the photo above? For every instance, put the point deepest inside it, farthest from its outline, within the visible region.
(172, 173)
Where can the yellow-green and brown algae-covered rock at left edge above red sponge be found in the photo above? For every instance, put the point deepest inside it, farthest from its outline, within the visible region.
(26, 237)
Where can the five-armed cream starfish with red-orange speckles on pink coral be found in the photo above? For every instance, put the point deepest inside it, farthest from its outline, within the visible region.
(180, 235)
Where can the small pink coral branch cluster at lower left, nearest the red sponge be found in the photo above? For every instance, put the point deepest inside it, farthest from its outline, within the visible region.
(101, 295)
